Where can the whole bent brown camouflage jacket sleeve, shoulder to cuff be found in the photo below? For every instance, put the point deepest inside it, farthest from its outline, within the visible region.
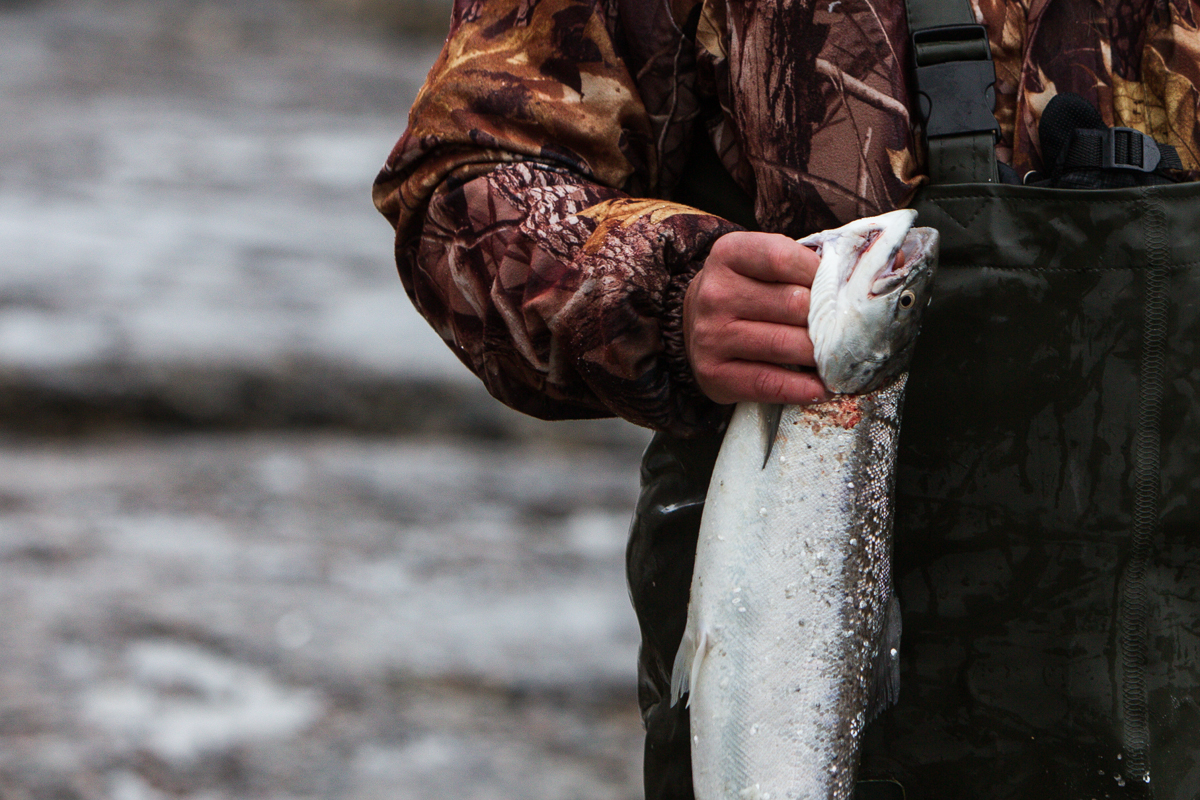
(519, 234)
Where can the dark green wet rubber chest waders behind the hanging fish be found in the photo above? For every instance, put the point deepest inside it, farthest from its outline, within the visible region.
(1047, 546)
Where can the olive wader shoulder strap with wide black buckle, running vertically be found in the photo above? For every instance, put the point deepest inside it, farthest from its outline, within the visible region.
(956, 92)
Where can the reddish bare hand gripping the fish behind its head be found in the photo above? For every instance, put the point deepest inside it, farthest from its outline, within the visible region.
(746, 318)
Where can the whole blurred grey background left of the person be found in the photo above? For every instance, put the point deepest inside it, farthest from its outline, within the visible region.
(261, 536)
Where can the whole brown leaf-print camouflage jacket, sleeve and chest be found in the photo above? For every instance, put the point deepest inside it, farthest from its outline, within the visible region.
(532, 193)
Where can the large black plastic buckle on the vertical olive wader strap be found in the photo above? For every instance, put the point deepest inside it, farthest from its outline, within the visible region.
(956, 95)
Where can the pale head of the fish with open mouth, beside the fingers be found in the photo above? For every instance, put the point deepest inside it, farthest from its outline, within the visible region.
(874, 282)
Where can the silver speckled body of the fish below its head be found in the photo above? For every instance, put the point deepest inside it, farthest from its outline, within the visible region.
(790, 600)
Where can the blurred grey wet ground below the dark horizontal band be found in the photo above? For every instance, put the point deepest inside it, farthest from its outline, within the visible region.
(280, 616)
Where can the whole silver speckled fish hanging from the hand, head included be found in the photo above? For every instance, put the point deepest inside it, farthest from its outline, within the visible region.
(793, 636)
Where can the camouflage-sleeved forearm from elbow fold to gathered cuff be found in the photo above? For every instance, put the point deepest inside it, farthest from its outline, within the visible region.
(565, 297)
